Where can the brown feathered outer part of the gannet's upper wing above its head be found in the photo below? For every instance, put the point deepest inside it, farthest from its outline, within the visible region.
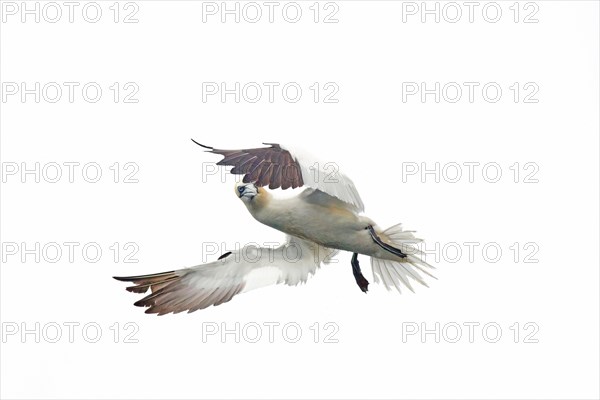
(266, 166)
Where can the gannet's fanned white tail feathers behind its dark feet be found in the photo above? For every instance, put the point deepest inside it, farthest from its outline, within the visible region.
(394, 273)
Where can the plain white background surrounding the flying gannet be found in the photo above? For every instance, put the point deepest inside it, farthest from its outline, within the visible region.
(369, 133)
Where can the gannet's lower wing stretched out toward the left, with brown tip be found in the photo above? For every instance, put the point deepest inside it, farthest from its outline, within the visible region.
(250, 267)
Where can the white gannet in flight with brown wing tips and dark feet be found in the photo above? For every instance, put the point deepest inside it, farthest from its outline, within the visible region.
(320, 221)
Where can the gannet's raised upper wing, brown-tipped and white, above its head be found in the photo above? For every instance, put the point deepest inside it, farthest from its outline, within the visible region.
(279, 167)
